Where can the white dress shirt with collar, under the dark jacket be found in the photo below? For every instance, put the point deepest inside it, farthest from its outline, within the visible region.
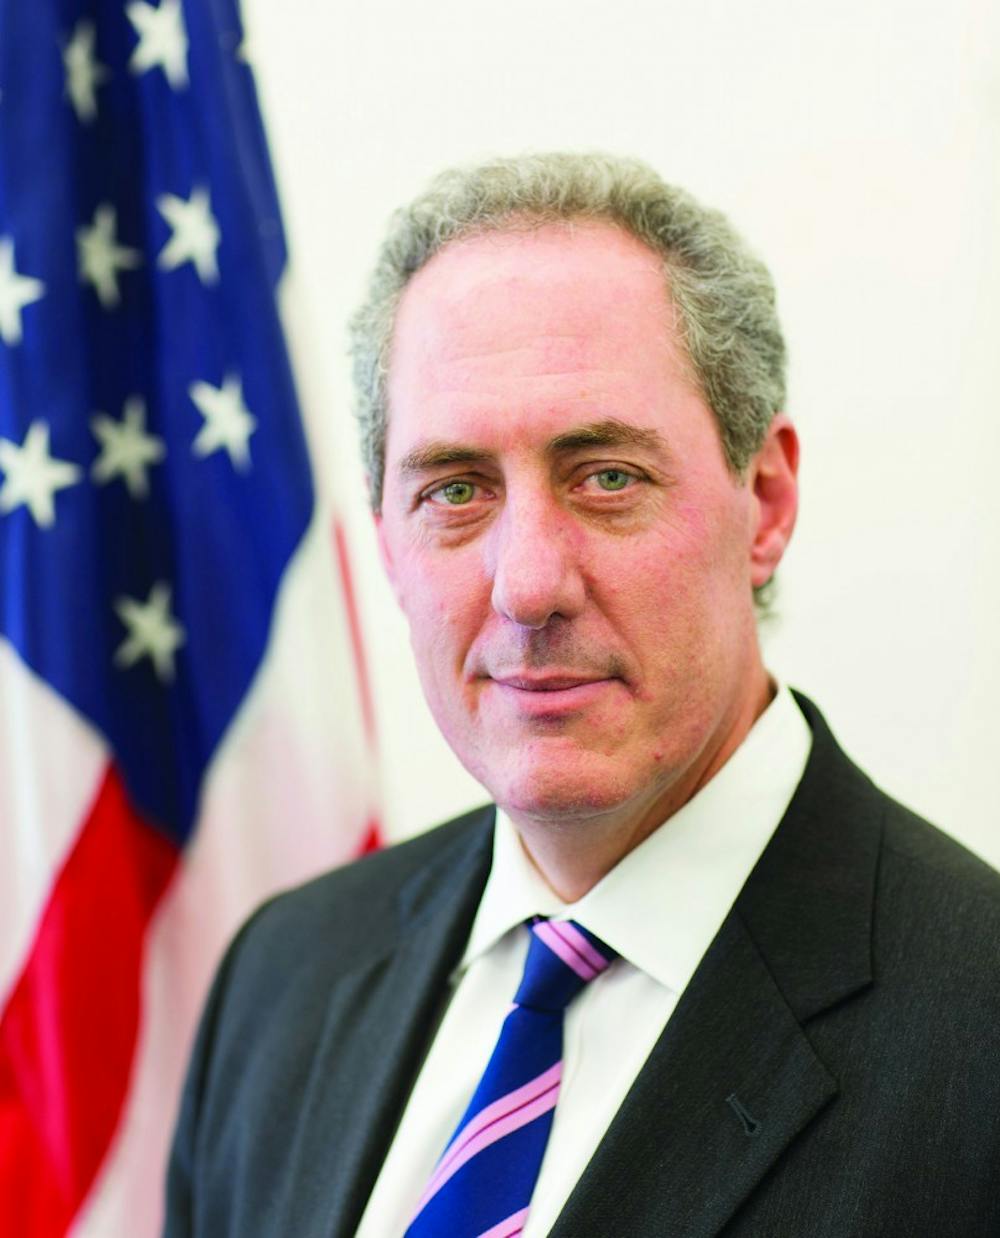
(659, 908)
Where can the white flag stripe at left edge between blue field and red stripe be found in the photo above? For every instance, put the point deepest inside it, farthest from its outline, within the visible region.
(51, 764)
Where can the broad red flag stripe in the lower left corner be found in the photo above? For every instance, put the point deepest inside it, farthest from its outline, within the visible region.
(69, 1032)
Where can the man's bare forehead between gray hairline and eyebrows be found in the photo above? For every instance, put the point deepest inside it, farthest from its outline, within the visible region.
(575, 313)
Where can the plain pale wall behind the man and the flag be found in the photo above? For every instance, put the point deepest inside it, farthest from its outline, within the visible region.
(856, 145)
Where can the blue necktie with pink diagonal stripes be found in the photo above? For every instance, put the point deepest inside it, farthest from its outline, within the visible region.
(482, 1185)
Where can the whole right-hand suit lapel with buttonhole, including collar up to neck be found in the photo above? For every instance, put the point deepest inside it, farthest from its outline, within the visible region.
(735, 1079)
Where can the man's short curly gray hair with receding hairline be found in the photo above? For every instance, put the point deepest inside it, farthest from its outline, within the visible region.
(723, 294)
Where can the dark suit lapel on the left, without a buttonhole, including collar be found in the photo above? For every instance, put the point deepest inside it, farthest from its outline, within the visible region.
(379, 1023)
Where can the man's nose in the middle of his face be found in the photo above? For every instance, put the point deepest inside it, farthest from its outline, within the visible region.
(537, 563)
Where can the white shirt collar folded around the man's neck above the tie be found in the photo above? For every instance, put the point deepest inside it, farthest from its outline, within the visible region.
(664, 903)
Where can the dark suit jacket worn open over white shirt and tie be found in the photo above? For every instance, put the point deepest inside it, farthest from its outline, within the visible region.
(832, 1070)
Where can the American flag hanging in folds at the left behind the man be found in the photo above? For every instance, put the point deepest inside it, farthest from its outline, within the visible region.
(181, 709)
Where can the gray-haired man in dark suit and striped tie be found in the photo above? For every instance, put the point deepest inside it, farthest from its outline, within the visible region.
(779, 990)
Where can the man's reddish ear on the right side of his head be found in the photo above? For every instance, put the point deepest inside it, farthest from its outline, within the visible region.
(773, 478)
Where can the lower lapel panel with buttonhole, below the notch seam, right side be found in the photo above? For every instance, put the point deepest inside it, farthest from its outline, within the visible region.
(679, 1157)
